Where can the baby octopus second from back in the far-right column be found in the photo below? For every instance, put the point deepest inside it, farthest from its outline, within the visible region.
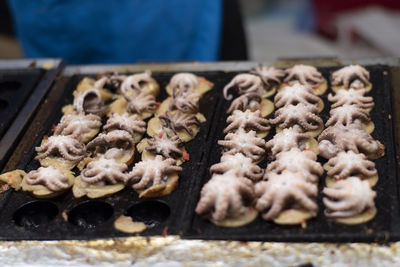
(351, 97)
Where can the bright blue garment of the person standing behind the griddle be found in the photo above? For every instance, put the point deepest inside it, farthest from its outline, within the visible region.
(119, 31)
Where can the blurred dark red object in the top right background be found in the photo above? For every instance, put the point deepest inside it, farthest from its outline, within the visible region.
(326, 11)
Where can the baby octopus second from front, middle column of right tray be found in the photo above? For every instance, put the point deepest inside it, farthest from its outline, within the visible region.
(295, 161)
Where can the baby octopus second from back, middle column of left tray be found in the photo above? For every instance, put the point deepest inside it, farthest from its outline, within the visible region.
(139, 102)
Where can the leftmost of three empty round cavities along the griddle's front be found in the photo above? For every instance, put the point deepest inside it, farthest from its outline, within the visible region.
(35, 214)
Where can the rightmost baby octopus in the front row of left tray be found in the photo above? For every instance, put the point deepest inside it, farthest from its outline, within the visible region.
(152, 172)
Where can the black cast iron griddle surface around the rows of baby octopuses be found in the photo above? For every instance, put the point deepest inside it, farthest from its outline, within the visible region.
(23, 217)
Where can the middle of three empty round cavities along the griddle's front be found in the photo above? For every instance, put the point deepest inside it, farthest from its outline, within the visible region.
(90, 214)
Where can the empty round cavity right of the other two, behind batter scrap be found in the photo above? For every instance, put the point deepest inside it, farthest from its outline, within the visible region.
(150, 212)
